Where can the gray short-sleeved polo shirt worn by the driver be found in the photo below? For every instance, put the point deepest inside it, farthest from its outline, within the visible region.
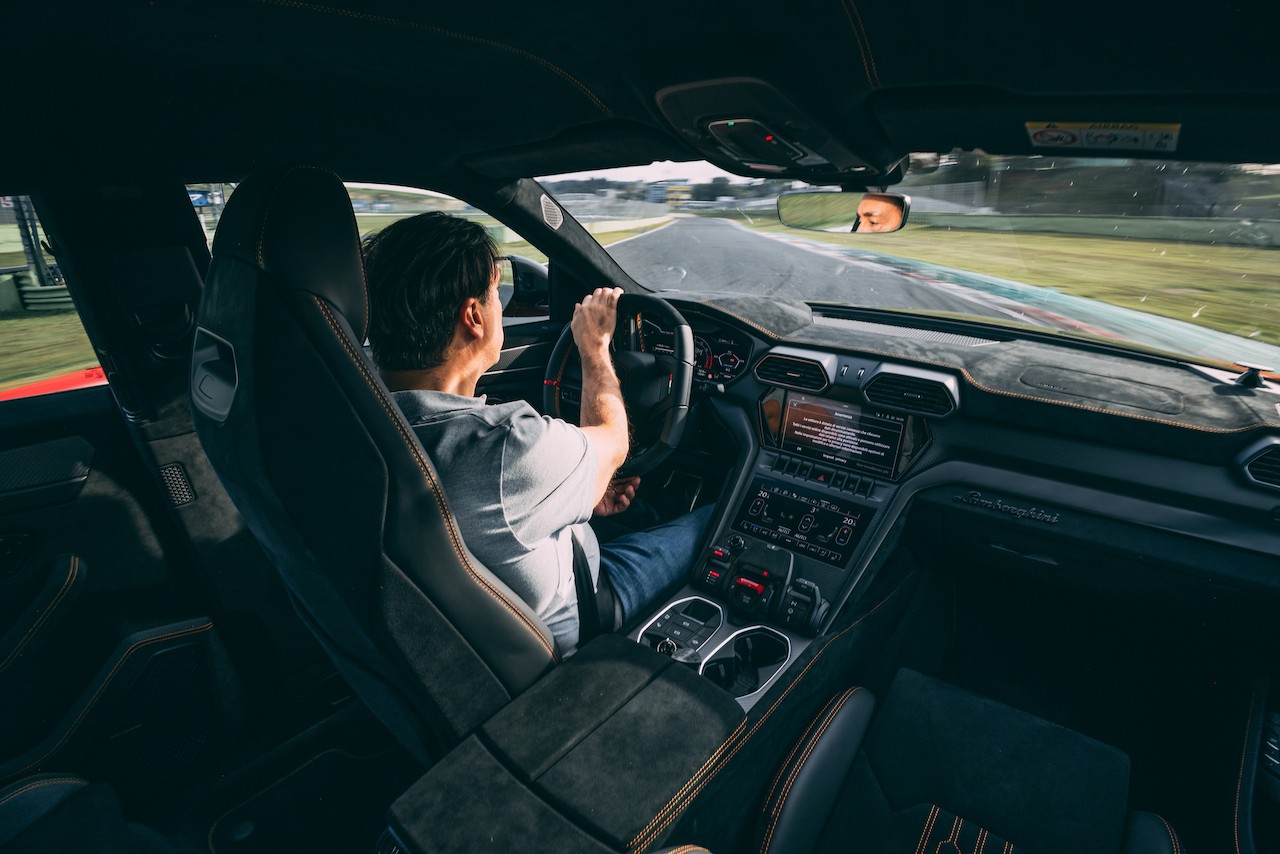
(520, 486)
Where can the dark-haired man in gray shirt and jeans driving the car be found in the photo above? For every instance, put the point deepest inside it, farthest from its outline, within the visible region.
(523, 486)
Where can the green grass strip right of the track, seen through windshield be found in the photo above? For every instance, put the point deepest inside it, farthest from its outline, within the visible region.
(1229, 289)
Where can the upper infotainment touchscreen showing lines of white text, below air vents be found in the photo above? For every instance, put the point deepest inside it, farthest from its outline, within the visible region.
(843, 435)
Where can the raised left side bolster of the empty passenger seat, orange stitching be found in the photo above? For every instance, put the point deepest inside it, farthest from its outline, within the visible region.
(806, 789)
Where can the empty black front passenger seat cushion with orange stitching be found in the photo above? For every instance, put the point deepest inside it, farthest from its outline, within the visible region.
(941, 771)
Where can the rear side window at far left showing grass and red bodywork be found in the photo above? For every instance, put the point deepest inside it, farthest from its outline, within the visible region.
(43, 344)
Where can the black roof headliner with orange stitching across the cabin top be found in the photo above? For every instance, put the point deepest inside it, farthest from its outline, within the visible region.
(392, 90)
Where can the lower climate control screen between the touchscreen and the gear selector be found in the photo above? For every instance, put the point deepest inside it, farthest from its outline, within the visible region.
(808, 523)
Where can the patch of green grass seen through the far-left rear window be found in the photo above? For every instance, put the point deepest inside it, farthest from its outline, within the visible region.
(39, 345)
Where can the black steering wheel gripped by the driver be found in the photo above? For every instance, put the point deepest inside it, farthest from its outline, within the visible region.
(656, 387)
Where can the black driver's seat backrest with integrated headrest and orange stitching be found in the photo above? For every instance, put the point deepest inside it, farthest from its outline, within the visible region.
(331, 478)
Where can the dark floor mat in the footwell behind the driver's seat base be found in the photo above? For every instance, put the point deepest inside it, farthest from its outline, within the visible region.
(336, 802)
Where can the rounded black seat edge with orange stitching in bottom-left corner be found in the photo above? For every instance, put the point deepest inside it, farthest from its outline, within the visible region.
(54, 812)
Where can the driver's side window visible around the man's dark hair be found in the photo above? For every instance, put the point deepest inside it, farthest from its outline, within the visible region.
(524, 270)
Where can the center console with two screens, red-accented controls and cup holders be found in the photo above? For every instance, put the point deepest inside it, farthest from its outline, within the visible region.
(787, 549)
